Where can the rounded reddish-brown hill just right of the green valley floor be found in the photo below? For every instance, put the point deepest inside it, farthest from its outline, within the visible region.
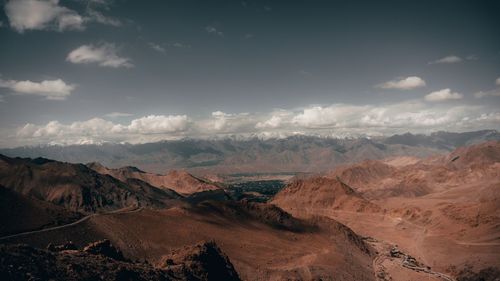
(316, 195)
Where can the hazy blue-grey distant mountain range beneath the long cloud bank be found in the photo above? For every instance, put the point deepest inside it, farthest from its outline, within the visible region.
(292, 154)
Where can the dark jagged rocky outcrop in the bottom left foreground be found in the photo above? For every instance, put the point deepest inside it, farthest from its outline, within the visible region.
(102, 261)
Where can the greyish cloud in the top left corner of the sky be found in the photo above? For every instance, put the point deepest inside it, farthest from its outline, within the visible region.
(38, 15)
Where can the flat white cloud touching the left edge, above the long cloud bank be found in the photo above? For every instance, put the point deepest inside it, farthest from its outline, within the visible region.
(50, 89)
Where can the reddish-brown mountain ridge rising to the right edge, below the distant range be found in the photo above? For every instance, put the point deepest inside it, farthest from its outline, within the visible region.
(377, 179)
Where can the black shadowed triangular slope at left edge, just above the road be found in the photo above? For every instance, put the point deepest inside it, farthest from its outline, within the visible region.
(19, 213)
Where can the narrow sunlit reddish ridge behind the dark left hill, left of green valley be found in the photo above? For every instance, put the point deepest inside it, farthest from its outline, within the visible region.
(179, 181)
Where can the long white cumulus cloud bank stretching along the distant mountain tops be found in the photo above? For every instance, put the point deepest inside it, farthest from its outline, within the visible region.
(336, 120)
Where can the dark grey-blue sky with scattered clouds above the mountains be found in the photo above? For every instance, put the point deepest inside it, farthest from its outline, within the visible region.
(79, 72)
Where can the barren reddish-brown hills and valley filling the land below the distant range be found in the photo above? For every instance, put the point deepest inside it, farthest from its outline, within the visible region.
(399, 218)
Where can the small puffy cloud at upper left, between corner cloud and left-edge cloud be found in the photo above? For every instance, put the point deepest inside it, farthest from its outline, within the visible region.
(105, 55)
